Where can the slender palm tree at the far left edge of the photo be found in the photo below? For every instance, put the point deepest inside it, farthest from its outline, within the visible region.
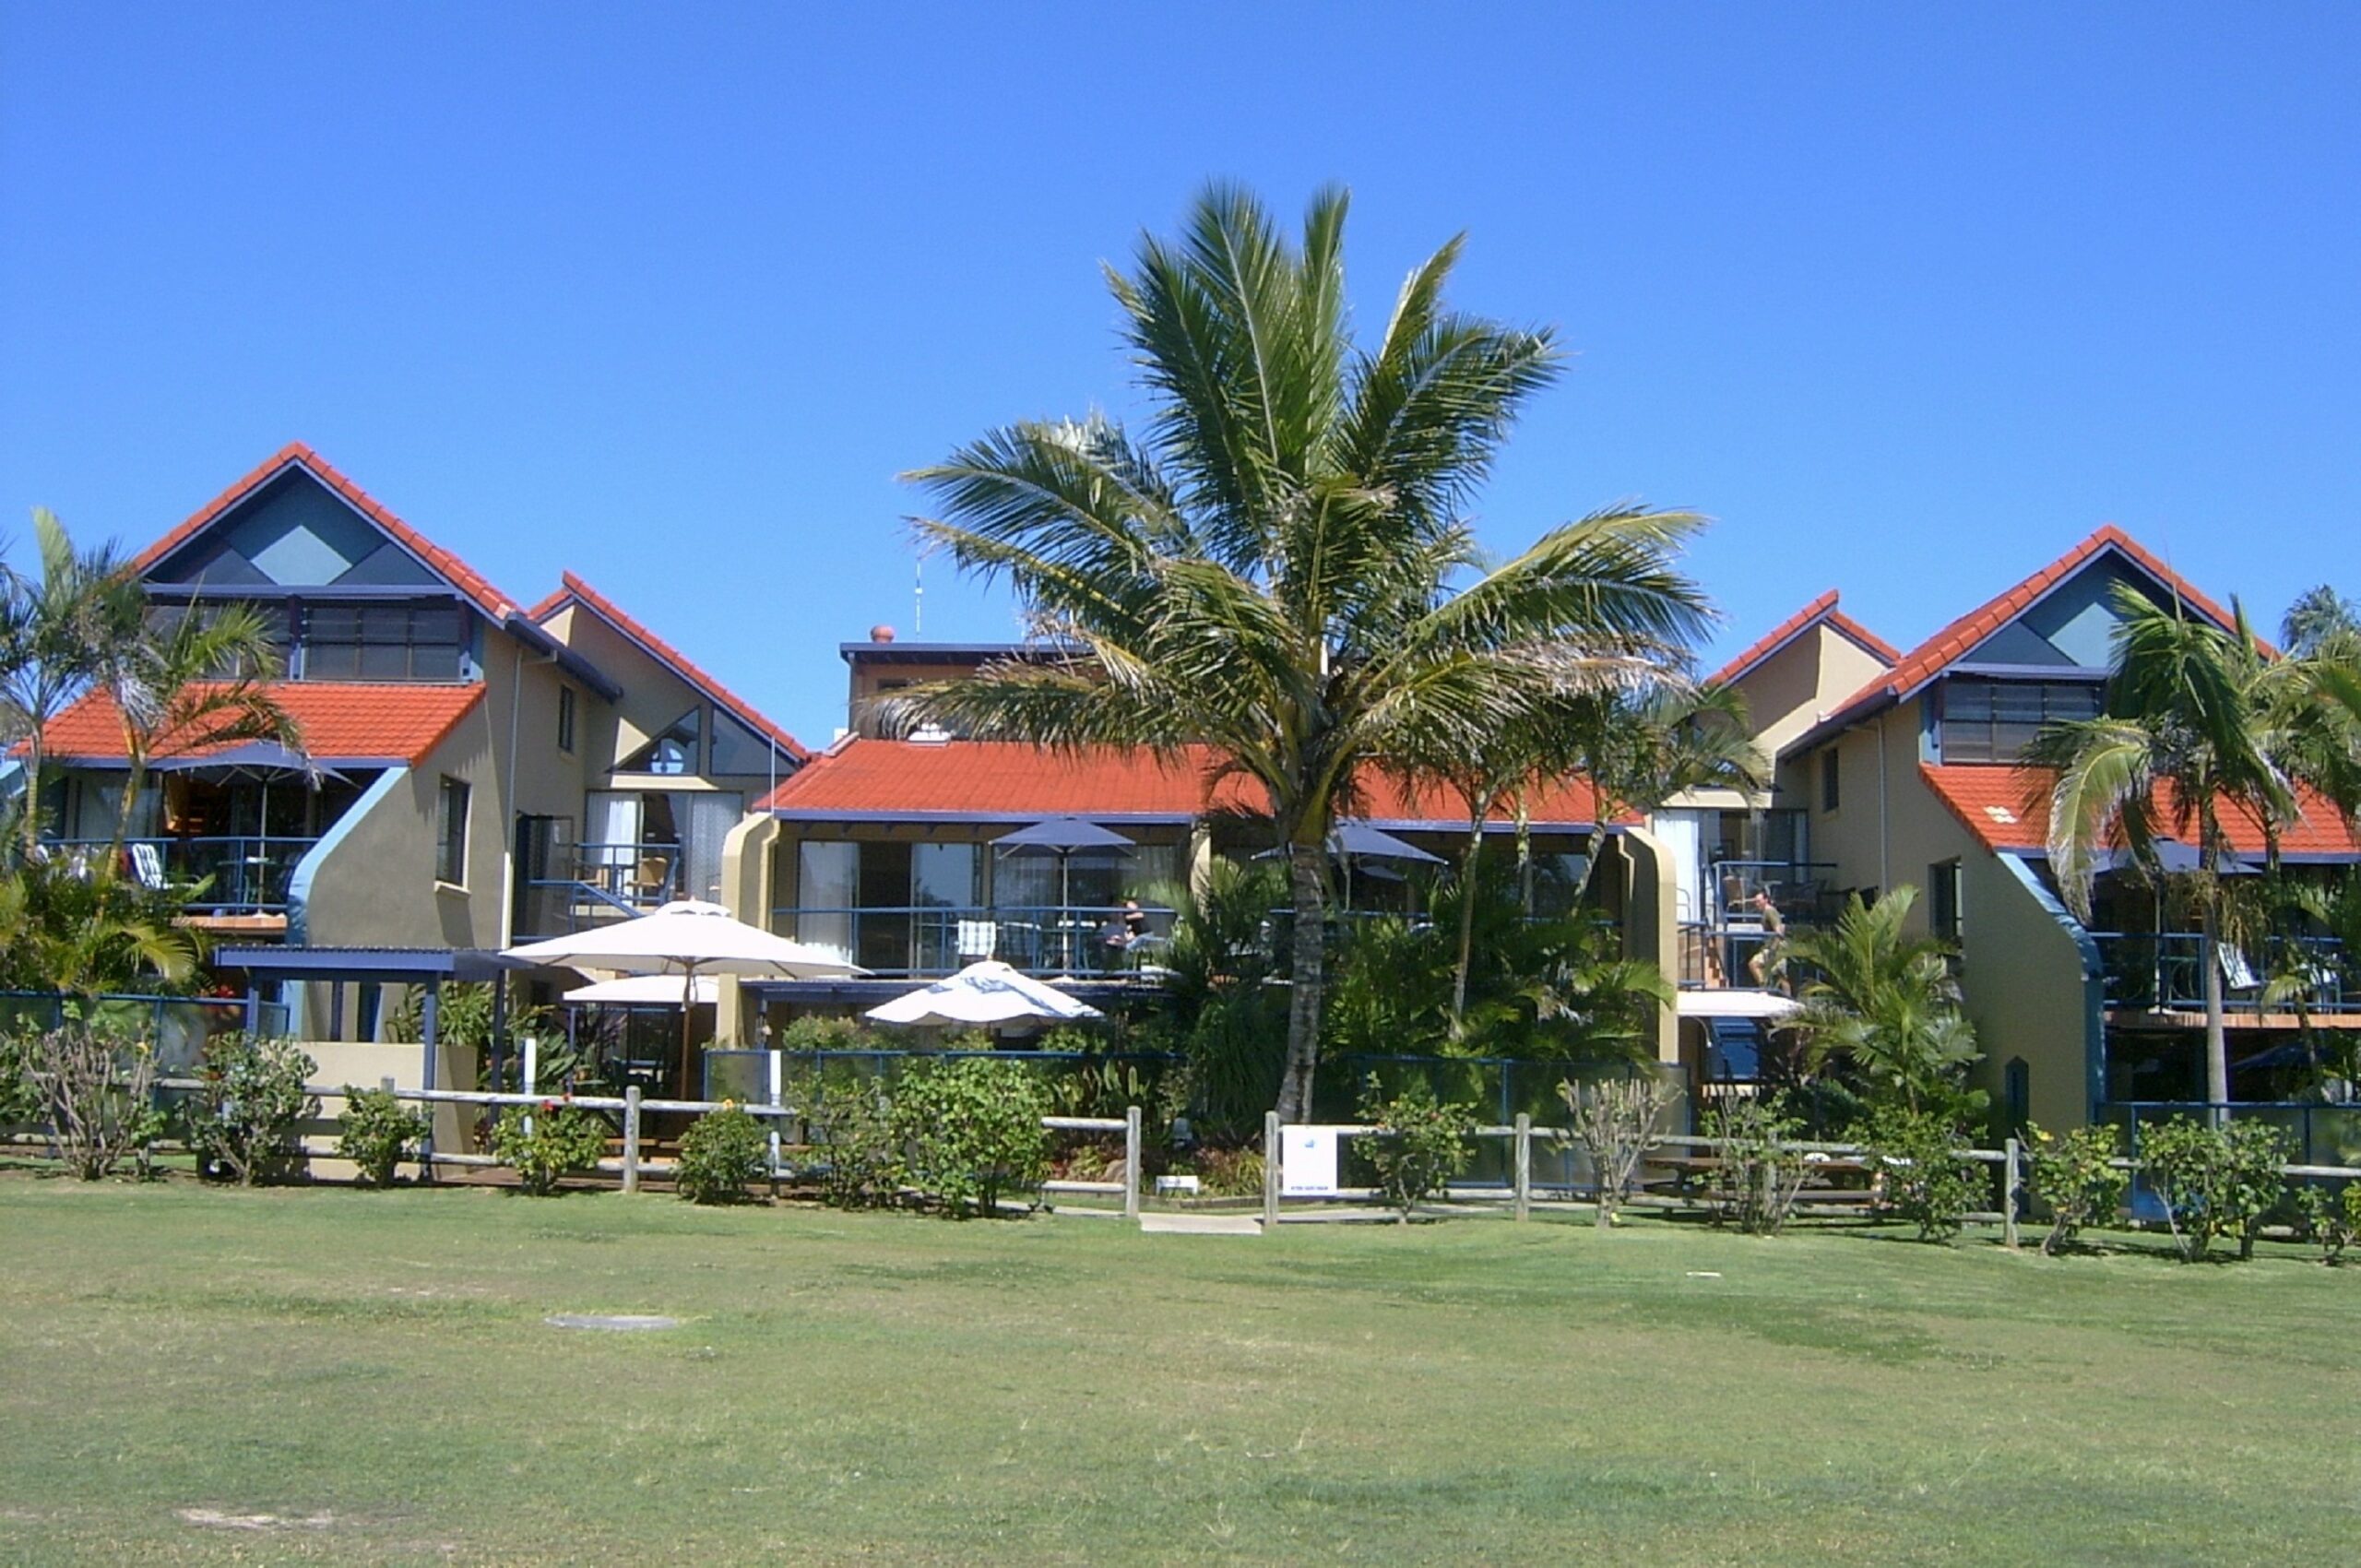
(58, 639)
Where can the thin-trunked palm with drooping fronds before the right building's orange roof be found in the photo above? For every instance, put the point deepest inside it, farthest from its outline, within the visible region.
(2185, 747)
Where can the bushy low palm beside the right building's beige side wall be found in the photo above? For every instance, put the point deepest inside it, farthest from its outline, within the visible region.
(1890, 1007)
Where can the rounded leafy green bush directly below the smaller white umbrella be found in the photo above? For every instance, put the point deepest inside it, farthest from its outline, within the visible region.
(972, 1130)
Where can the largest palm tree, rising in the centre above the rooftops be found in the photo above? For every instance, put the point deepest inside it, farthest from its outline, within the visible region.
(1281, 566)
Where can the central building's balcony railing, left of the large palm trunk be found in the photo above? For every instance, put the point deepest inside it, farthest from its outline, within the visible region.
(931, 941)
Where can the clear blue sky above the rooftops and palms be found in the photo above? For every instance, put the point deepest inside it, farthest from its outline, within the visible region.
(1909, 301)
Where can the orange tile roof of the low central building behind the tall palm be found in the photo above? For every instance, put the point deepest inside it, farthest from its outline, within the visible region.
(1009, 780)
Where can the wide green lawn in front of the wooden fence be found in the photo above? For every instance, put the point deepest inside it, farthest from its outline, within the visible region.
(374, 1373)
